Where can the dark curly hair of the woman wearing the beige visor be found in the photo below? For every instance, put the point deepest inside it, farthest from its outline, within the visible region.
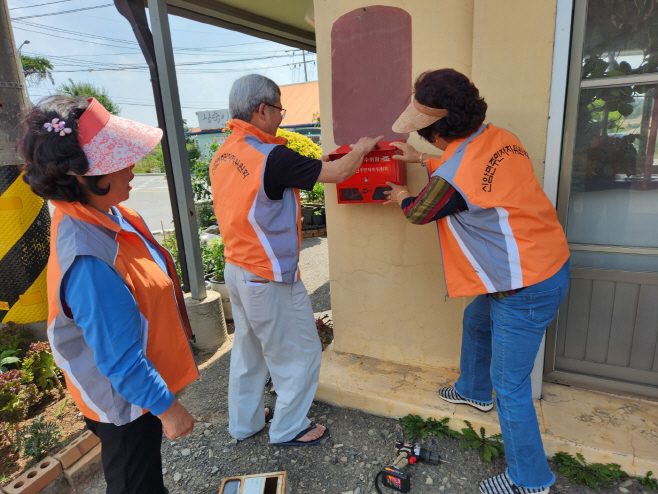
(453, 91)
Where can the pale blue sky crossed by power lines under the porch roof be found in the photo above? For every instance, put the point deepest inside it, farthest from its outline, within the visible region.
(95, 43)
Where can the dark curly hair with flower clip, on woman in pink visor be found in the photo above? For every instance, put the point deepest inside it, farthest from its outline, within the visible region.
(48, 157)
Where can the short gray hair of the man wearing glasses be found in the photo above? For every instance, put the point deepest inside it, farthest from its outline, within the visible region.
(248, 92)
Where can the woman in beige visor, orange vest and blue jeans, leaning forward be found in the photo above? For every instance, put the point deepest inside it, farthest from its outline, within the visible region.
(501, 242)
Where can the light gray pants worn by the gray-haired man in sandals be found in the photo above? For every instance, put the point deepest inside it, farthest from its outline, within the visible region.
(275, 330)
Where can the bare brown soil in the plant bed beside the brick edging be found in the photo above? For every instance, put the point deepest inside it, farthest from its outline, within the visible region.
(51, 406)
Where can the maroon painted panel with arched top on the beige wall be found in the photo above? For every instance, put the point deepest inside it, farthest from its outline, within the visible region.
(371, 72)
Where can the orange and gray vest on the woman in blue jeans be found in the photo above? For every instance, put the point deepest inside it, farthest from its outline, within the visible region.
(510, 236)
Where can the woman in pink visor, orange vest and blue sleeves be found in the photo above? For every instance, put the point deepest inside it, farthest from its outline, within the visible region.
(117, 322)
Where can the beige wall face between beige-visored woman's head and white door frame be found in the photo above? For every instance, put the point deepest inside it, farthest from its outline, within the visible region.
(512, 63)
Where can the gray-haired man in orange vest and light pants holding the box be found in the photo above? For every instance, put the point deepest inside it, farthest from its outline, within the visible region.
(255, 185)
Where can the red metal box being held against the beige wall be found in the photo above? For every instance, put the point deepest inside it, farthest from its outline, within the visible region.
(369, 182)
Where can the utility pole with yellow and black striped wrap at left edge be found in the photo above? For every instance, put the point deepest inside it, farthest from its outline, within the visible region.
(24, 236)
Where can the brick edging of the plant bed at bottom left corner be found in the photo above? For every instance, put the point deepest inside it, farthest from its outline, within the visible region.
(76, 463)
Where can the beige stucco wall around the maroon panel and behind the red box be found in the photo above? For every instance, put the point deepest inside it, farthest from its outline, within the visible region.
(387, 287)
